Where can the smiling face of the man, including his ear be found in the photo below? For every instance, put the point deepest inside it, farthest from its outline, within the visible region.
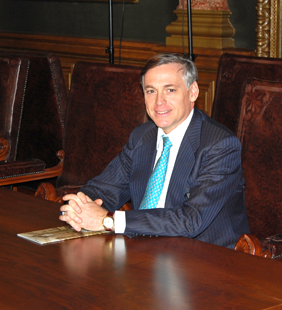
(168, 102)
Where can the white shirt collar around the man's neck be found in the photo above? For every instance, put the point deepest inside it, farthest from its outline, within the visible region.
(176, 135)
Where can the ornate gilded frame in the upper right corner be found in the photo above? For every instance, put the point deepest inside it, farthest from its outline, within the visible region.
(269, 28)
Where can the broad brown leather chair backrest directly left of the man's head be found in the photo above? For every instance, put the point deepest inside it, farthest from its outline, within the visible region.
(105, 104)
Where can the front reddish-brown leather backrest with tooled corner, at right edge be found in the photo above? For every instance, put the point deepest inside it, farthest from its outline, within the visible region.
(260, 133)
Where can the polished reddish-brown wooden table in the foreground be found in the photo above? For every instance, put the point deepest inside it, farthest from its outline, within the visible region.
(115, 272)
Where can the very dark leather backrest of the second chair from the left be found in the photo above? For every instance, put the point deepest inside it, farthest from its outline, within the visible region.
(41, 134)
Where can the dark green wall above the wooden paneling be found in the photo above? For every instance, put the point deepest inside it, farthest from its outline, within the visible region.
(144, 21)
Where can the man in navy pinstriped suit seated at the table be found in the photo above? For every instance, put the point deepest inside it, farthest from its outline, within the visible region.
(202, 196)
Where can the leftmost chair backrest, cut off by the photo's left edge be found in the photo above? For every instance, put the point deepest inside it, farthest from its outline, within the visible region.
(13, 80)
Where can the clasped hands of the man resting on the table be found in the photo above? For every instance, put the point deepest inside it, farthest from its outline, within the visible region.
(82, 212)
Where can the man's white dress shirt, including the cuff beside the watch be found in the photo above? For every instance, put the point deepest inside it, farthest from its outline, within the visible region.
(176, 137)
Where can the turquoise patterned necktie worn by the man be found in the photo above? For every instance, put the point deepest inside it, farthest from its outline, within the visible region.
(156, 181)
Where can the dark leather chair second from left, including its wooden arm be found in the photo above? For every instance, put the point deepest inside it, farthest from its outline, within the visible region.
(40, 134)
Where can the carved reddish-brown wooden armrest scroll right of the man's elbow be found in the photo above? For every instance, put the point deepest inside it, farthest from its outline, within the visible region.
(249, 244)
